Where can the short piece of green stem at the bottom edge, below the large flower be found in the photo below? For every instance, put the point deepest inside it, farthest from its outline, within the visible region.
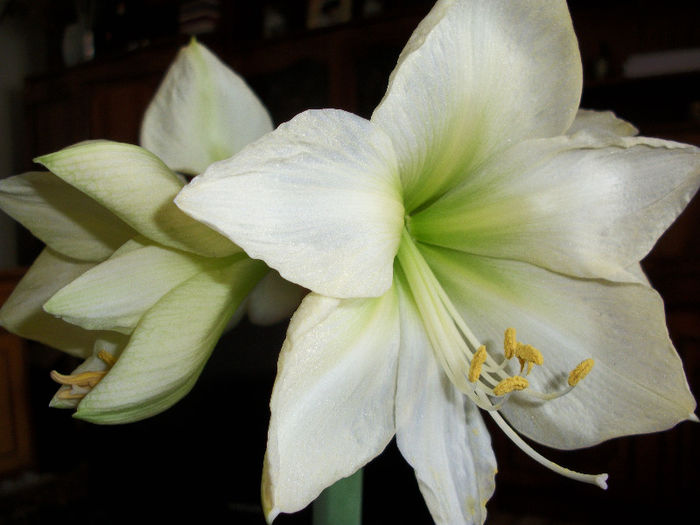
(341, 503)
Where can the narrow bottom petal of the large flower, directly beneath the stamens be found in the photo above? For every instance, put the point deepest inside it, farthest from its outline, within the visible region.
(440, 432)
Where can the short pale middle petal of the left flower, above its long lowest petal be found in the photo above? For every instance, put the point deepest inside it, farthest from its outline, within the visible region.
(115, 294)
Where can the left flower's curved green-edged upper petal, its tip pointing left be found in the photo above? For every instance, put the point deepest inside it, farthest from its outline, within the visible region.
(137, 187)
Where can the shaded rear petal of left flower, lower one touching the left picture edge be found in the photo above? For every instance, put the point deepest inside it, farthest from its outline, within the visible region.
(22, 314)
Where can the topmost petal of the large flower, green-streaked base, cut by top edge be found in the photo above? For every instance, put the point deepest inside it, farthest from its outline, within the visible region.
(475, 77)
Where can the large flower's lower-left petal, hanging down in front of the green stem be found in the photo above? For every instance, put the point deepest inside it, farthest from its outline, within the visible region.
(333, 401)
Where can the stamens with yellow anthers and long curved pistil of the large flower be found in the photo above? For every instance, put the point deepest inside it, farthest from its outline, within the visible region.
(468, 364)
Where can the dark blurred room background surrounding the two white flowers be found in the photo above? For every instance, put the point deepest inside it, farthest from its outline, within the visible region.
(74, 70)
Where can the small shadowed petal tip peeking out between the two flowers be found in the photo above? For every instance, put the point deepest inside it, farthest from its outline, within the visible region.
(274, 300)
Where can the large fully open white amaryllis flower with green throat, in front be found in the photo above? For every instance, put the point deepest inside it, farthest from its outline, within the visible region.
(474, 202)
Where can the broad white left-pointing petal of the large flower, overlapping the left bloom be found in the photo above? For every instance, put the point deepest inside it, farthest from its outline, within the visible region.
(318, 199)
